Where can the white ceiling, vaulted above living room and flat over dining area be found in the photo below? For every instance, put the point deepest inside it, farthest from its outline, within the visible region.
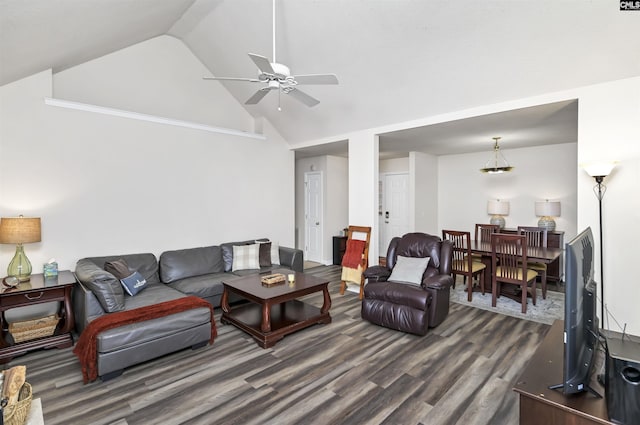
(397, 60)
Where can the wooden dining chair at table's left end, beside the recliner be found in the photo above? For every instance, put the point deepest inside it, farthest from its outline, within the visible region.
(462, 263)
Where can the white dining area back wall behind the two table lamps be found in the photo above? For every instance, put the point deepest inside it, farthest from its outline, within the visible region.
(544, 172)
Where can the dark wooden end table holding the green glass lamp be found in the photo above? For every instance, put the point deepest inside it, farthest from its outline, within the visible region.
(37, 291)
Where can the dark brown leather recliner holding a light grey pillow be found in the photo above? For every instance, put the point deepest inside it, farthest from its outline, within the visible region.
(408, 307)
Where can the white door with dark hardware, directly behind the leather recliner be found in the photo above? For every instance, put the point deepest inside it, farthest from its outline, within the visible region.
(395, 211)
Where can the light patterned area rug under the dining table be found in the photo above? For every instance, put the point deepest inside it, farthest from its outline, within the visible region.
(545, 311)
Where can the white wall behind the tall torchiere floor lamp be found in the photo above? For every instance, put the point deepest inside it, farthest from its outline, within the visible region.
(609, 128)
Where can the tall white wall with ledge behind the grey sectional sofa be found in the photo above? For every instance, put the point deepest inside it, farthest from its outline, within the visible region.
(109, 185)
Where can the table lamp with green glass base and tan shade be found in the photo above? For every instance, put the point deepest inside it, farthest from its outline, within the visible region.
(19, 230)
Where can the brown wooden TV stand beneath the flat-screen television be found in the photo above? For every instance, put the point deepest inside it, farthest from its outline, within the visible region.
(539, 405)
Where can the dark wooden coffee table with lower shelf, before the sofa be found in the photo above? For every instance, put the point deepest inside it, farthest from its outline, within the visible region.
(274, 311)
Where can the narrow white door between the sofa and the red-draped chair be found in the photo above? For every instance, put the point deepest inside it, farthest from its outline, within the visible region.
(313, 205)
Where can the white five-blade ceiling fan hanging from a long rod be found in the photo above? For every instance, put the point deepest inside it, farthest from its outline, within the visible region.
(276, 76)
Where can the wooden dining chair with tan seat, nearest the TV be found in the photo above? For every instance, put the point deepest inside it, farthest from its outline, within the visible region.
(509, 258)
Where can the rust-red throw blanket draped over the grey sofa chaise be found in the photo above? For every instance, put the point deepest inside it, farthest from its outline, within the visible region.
(87, 346)
